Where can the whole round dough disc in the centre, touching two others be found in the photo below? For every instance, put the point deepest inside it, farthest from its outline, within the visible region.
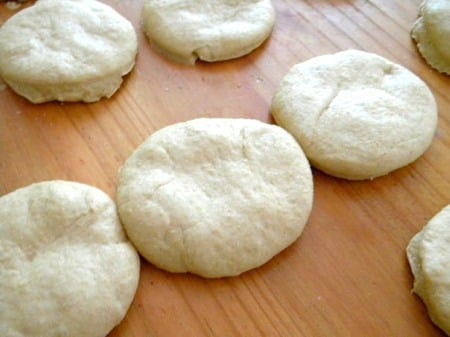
(215, 197)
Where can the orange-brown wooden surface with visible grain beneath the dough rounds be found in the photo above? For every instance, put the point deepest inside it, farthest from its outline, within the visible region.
(347, 275)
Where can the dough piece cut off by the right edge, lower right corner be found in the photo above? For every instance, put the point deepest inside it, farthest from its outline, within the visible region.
(429, 257)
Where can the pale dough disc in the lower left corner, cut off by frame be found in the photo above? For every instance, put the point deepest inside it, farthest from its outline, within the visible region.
(66, 267)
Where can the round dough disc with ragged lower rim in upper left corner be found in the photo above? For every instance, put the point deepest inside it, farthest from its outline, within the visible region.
(66, 50)
